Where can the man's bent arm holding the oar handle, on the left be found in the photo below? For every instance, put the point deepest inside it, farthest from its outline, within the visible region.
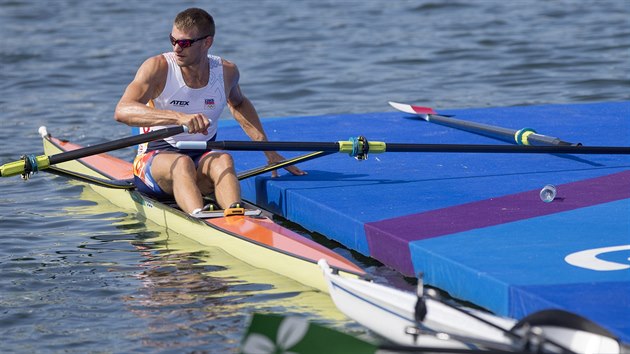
(132, 109)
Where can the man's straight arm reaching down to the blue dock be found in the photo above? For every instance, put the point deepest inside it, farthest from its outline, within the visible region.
(245, 114)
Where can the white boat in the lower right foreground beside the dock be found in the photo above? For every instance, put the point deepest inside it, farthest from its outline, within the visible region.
(426, 321)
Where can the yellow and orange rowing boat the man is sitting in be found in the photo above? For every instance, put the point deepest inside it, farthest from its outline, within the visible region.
(256, 240)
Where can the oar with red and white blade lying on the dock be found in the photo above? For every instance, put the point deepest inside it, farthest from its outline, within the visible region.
(525, 136)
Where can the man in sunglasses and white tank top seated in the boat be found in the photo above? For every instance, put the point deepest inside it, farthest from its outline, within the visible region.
(189, 87)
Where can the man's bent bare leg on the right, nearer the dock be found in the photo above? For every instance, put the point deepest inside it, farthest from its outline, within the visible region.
(216, 173)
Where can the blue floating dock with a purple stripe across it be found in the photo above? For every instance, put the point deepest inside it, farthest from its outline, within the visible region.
(473, 223)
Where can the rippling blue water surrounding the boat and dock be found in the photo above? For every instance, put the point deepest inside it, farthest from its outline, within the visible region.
(78, 275)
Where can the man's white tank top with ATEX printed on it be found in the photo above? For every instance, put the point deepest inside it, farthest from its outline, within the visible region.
(177, 96)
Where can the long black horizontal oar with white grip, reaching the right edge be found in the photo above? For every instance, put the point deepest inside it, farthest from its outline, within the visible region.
(360, 146)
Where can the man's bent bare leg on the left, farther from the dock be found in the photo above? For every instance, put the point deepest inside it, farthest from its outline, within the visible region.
(176, 174)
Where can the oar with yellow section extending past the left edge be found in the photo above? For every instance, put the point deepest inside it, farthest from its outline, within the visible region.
(32, 163)
